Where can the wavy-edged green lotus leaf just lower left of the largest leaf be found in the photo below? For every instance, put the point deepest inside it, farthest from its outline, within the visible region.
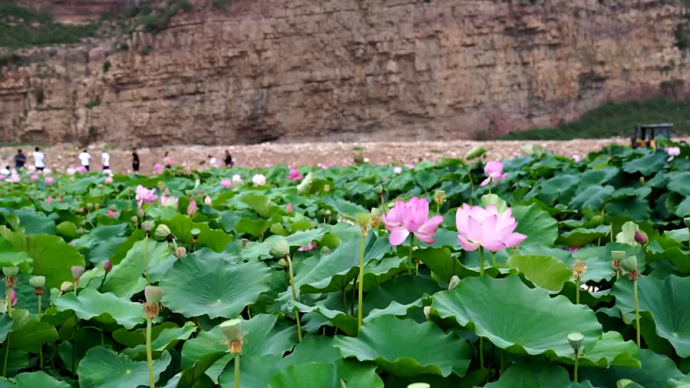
(394, 345)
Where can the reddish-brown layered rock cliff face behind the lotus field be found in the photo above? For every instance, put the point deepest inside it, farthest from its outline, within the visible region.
(282, 70)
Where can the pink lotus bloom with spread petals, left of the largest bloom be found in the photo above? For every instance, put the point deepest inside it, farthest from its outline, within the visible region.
(411, 217)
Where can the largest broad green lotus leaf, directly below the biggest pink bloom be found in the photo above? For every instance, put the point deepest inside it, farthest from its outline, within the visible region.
(516, 318)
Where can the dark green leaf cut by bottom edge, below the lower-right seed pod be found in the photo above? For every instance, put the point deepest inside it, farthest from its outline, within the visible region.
(533, 375)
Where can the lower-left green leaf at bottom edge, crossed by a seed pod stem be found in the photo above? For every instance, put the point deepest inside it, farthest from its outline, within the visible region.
(103, 368)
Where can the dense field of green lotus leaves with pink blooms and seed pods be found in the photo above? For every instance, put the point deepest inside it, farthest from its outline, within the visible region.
(537, 272)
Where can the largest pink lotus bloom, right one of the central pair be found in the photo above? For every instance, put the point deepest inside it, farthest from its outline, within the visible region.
(487, 228)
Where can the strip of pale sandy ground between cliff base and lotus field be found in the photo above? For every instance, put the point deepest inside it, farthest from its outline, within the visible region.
(191, 157)
